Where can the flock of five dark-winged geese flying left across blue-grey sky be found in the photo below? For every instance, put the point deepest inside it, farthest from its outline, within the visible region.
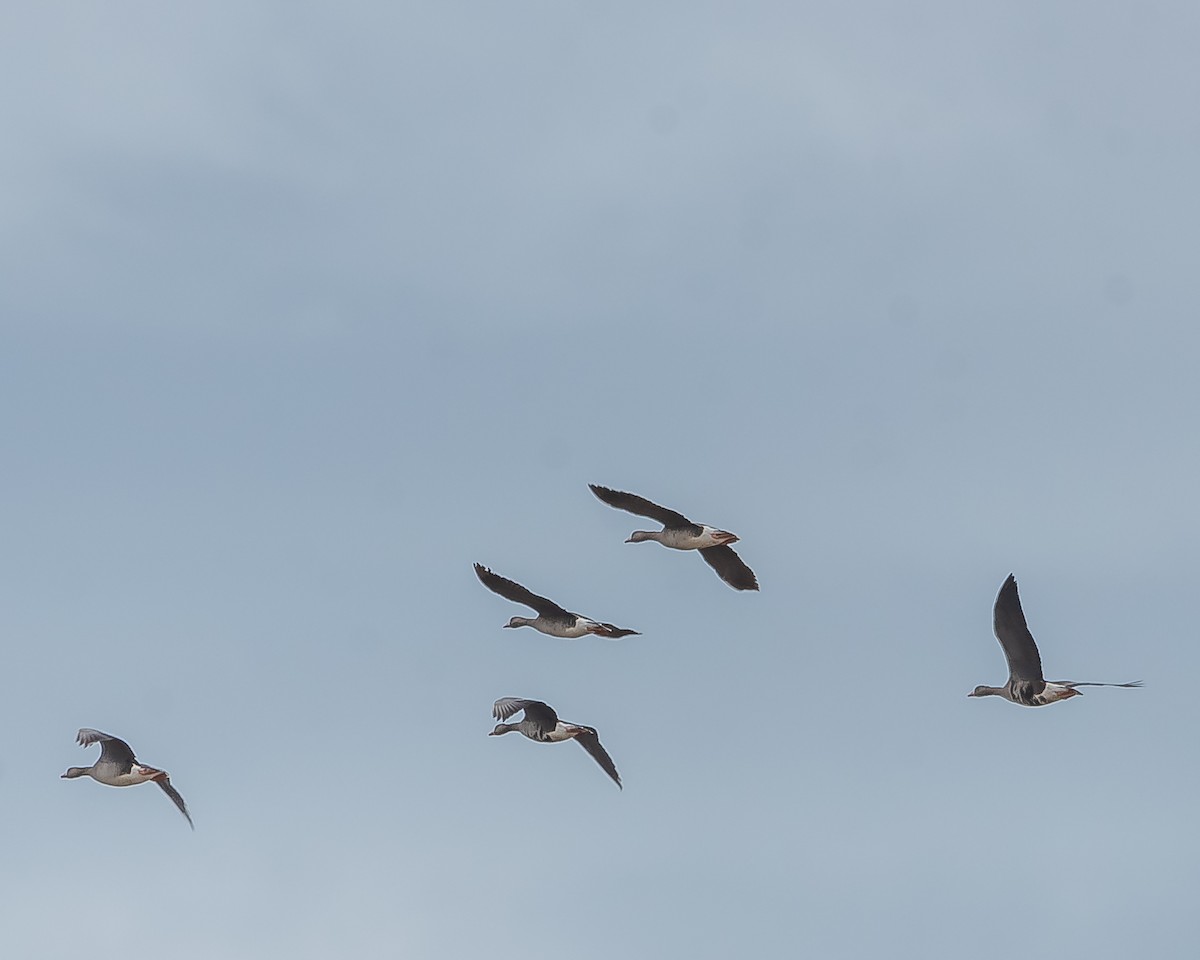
(118, 766)
